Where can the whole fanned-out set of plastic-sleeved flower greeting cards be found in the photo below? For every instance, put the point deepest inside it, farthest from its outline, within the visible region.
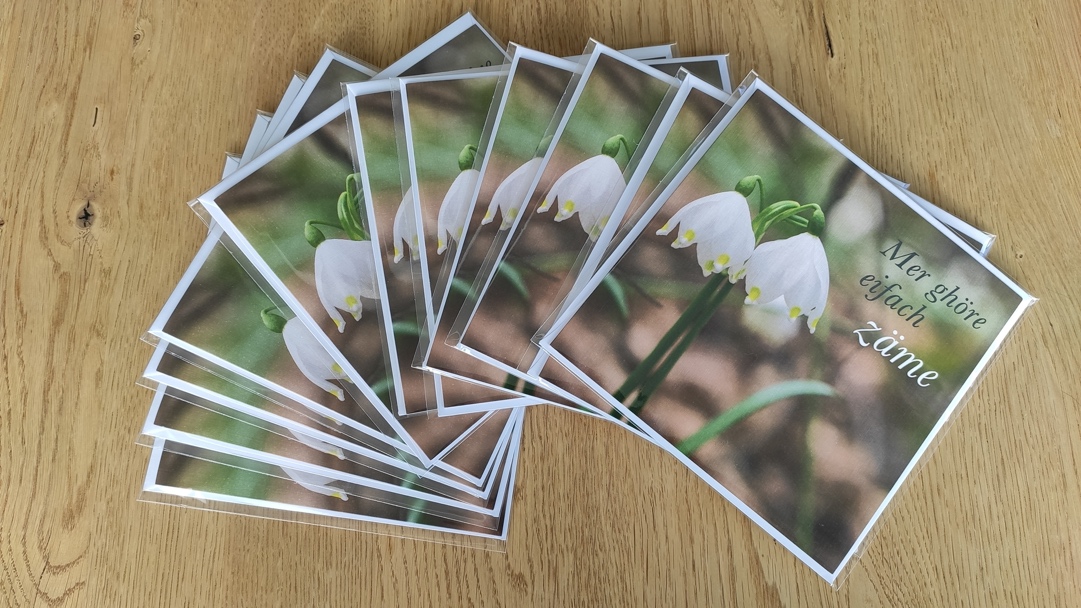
(404, 261)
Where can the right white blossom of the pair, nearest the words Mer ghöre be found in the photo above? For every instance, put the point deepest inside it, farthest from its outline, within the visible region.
(794, 269)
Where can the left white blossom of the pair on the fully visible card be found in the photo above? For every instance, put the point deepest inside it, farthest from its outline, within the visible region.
(720, 226)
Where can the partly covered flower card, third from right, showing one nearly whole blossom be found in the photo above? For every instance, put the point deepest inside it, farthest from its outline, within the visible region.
(609, 114)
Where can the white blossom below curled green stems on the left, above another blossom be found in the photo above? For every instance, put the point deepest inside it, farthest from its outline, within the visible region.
(345, 272)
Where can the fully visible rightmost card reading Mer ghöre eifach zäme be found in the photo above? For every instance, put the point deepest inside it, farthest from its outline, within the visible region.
(798, 331)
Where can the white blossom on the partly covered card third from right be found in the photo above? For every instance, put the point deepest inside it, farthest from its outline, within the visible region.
(591, 190)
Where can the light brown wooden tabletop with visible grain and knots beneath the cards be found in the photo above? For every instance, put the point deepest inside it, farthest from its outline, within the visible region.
(115, 113)
